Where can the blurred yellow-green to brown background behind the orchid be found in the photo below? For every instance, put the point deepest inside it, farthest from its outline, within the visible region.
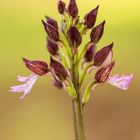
(46, 113)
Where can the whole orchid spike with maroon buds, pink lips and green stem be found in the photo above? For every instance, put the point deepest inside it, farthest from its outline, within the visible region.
(71, 60)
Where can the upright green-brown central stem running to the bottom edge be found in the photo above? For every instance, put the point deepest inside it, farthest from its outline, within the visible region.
(76, 103)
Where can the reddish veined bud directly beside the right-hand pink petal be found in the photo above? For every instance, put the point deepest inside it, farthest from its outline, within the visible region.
(102, 74)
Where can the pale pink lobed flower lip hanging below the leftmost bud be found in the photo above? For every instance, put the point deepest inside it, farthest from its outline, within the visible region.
(29, 81)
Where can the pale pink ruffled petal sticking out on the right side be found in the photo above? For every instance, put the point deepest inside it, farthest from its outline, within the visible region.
(122, 82)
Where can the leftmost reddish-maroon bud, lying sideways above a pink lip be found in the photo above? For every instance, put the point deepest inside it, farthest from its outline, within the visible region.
(37, 67)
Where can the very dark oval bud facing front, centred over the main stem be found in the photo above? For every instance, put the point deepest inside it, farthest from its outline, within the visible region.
(74, 36)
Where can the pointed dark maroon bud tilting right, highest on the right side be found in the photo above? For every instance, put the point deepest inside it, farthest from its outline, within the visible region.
(90, 18)
